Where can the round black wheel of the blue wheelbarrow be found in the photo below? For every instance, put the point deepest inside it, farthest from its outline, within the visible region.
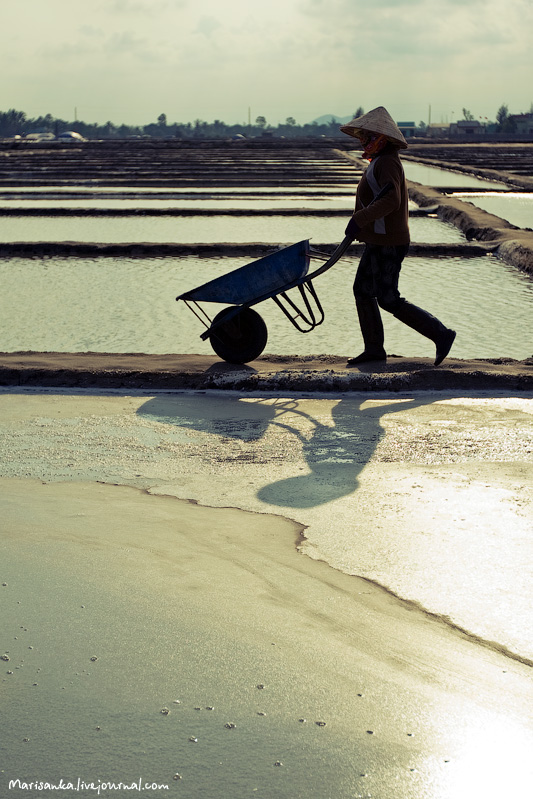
(242, 338)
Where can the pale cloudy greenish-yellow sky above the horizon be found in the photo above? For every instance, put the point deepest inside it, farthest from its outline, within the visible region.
(128, 61)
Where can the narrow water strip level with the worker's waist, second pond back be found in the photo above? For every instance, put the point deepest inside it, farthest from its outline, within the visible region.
(216, 229)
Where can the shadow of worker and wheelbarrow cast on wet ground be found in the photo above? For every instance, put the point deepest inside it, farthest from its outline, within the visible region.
(335, 447)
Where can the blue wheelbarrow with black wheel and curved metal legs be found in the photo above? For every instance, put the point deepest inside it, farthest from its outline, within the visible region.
(238, 333)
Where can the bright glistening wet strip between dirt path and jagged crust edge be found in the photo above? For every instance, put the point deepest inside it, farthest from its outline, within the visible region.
(317, 461)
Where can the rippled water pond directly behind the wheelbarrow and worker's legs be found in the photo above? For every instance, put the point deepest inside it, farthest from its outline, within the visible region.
(128, 305)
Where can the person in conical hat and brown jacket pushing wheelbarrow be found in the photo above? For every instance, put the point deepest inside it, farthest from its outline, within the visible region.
(381, 222)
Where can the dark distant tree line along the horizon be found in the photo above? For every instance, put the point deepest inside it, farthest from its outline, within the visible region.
(13, 123)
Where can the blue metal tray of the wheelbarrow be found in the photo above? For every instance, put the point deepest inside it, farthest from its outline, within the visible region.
(257, 281)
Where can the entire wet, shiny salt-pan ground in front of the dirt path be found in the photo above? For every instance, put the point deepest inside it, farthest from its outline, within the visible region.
(198, 555)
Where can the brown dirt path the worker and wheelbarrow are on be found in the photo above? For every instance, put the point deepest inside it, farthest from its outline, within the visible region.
(321, 373)
